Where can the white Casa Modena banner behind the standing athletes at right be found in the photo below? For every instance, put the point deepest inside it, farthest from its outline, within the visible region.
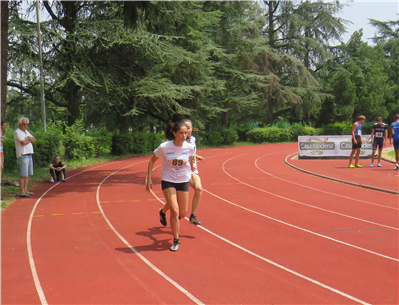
(332, 146)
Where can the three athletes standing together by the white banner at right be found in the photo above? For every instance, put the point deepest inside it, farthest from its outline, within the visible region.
(379, 136)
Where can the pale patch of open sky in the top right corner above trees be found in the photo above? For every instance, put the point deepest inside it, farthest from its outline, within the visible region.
(359, 11)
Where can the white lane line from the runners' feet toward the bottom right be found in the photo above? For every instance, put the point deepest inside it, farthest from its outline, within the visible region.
(278, 265)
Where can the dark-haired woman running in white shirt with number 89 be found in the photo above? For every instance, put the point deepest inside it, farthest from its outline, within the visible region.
(177, 169)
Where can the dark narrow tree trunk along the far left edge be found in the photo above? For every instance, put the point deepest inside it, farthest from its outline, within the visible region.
(3, 57)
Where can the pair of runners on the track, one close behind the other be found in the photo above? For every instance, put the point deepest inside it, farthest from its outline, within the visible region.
(179, 172)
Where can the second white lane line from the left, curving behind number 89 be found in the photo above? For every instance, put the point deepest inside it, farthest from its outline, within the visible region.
(151, 265)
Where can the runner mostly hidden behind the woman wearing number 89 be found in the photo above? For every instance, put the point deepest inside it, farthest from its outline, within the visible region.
(195, 181)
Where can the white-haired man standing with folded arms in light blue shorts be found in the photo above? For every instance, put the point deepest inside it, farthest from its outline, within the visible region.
(24, 149)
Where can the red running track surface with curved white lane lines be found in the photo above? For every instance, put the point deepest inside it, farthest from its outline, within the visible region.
(271, 235)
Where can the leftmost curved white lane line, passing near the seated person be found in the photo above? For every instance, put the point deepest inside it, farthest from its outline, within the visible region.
(32, 264)
